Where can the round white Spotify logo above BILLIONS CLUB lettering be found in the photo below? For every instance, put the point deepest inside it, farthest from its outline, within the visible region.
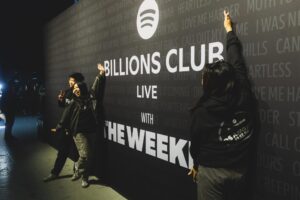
(147, 19)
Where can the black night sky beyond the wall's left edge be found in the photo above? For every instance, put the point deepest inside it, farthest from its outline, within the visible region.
(21, 34)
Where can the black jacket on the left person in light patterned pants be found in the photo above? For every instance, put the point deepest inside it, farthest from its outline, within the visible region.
(71, 115)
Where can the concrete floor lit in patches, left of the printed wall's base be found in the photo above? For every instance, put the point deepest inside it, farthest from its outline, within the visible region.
(25, 162)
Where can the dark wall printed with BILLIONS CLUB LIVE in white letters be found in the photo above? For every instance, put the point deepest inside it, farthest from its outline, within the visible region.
(147, 157)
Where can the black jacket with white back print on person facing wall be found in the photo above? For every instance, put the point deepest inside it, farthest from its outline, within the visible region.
(223, 128)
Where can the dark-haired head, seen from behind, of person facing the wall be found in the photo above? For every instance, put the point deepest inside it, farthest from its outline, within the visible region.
(218, 78)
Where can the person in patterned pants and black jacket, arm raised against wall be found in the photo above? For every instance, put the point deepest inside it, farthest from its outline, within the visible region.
(80, 118)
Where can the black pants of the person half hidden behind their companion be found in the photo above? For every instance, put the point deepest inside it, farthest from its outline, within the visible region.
(65, 147)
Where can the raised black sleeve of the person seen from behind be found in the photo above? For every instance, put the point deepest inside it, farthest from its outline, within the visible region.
(235, 57)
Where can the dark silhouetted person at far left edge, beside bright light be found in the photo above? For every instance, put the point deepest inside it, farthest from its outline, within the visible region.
(8, 107)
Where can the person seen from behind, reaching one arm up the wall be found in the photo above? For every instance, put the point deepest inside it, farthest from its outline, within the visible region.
(223, 133)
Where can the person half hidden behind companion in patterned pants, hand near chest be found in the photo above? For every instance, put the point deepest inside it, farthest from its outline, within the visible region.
(65, 140)
